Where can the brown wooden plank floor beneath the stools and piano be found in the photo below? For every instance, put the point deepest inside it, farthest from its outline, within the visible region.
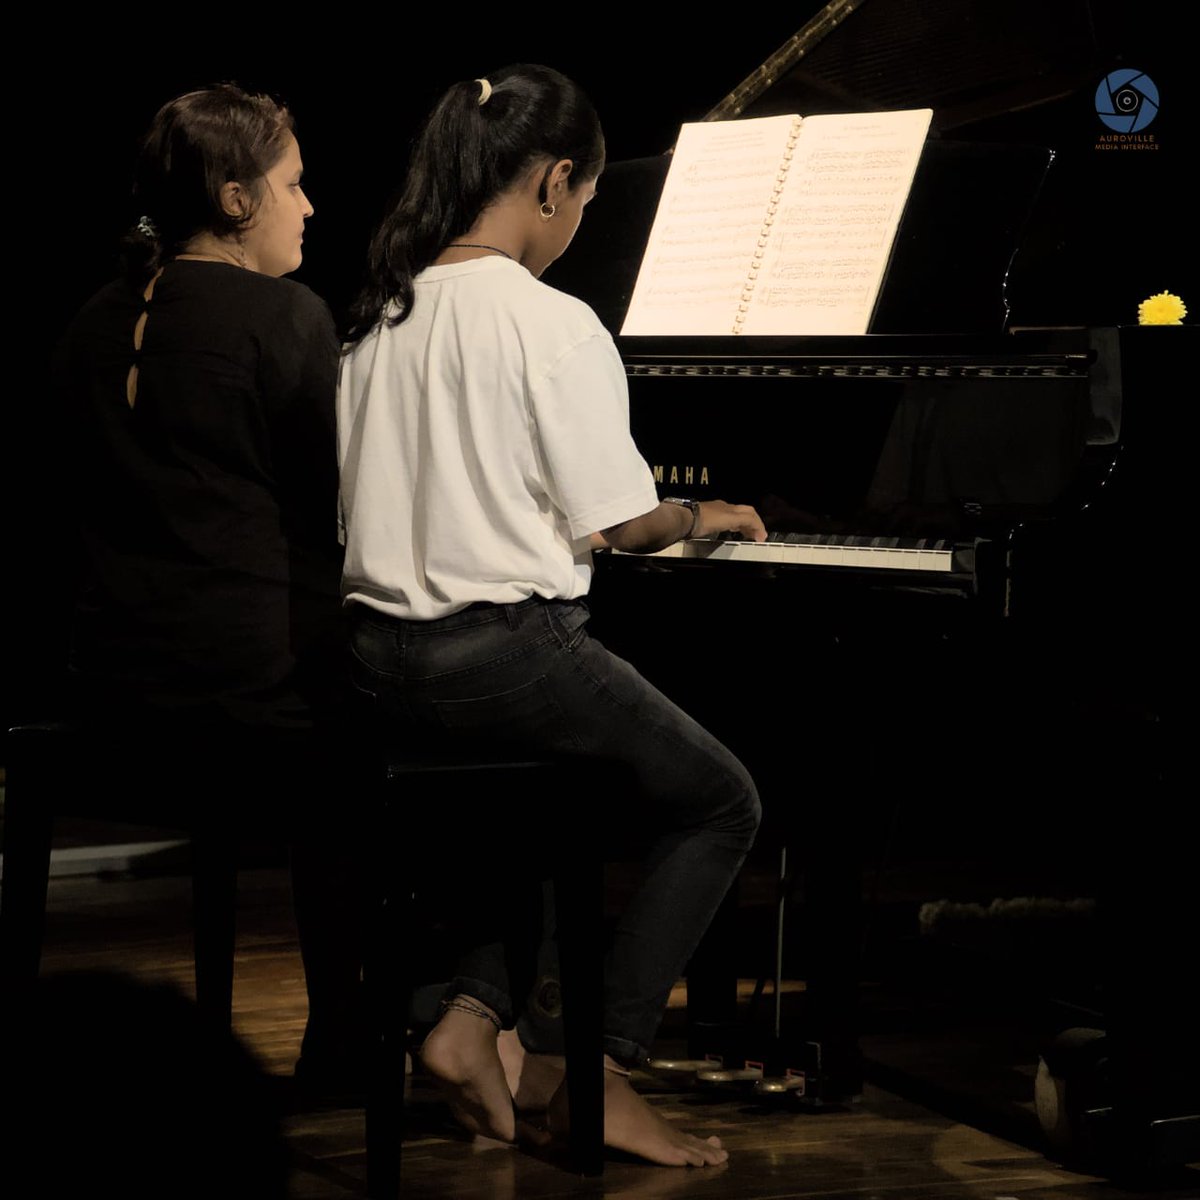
(886, 1148)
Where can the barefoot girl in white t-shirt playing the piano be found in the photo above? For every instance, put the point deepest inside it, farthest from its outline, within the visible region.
(485, 449)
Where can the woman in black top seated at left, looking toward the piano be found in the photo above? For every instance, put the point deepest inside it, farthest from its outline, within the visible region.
(199, 399)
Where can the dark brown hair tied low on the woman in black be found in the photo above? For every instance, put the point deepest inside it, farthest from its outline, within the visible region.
(196, 145)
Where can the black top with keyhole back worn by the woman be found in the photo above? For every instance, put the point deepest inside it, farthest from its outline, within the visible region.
(207, 511)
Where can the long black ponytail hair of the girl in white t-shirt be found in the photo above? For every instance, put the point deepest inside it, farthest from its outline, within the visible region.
(473, 147)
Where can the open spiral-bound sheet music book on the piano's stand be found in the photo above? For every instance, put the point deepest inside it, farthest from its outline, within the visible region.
(777, 225)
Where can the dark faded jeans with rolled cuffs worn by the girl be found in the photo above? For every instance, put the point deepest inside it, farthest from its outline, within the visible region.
(529, 677)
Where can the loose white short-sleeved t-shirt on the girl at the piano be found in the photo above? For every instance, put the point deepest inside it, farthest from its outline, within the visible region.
(481, 442)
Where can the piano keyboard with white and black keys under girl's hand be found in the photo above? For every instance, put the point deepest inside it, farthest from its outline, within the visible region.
(825, 550)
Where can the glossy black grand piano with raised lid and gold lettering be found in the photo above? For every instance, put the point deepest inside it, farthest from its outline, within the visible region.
(955, 628)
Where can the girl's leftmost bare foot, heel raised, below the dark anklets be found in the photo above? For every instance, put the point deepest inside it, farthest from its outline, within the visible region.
(461, 1055)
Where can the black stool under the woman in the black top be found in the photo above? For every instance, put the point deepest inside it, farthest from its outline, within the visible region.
(218, 790)
